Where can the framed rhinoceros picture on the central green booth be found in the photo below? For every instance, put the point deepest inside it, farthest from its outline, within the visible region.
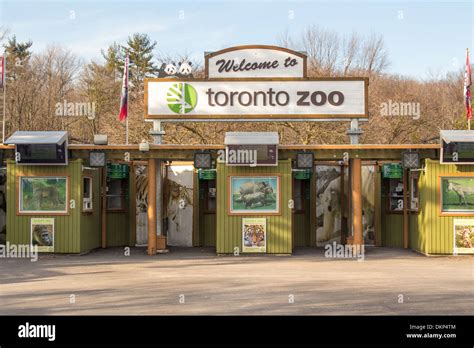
(254, 194)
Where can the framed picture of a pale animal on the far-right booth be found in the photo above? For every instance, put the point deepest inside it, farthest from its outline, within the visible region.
(457, 194)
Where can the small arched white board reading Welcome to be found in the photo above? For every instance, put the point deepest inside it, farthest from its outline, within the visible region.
(255, 61)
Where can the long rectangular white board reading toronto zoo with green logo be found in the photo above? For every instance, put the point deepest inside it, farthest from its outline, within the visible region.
(174, 99)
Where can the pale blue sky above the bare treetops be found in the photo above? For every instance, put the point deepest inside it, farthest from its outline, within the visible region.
(430, 38)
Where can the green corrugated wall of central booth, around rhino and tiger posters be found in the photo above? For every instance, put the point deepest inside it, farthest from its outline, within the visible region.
(229, 227)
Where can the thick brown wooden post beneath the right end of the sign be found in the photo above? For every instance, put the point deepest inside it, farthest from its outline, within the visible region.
(356, 181)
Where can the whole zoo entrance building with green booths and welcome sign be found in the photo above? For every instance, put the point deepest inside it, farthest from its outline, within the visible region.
(250, 194)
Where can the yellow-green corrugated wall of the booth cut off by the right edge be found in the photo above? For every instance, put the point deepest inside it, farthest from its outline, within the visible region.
(435, 231)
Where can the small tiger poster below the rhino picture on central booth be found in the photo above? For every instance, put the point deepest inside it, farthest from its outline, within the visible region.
(254, 235)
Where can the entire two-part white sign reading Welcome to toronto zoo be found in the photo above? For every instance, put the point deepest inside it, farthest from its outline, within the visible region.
(255, 82)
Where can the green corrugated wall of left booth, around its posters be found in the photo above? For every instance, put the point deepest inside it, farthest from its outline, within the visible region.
(66, 227)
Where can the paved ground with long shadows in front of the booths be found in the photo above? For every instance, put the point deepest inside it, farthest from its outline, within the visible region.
(107, 282)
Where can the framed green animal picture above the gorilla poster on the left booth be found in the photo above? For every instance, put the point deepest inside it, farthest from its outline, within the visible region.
(43, 194)
